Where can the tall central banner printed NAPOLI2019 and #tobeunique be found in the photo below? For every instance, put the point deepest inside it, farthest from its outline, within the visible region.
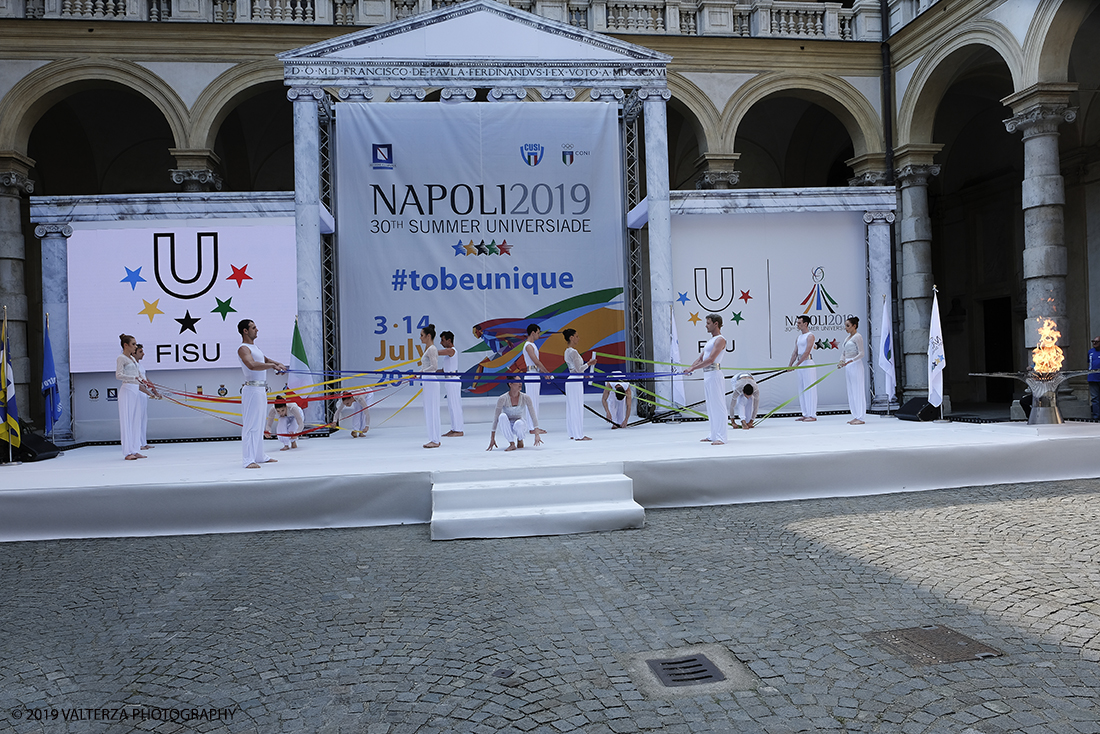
(480, 218)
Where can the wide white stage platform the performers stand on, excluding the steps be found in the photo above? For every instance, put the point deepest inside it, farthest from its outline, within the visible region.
(387, 478)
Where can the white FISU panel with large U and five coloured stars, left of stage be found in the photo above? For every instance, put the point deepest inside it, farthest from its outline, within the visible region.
(180, 288)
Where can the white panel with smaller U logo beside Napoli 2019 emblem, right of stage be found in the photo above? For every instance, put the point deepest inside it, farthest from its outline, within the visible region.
(761, 272)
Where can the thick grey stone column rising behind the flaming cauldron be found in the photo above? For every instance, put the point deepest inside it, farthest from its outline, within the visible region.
(1038, 114)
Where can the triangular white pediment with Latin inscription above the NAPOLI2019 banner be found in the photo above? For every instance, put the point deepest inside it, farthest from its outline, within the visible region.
(476, 43)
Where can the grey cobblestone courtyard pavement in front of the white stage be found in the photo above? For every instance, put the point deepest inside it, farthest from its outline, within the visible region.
(381, 631)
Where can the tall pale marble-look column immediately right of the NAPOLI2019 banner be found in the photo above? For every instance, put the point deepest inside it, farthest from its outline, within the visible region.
(661, 229)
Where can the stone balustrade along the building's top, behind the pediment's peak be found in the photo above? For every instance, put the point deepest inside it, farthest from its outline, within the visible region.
(707, 18)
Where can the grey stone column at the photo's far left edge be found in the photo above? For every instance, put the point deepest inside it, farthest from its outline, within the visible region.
(14, 185)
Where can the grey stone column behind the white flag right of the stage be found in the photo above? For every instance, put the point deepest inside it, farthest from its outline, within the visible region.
(916, 272)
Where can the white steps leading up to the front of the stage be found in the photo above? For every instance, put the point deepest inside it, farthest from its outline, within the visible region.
(533, 501)
